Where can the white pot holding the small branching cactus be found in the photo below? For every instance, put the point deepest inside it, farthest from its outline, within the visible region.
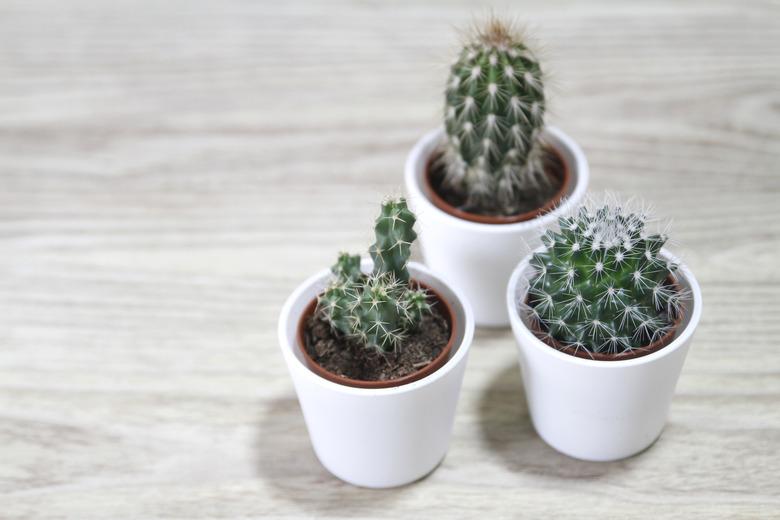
(378, 437)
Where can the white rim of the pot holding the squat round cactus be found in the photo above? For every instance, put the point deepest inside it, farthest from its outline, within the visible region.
(529, 339)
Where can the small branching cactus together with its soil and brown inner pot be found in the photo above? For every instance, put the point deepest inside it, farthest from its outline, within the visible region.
(376, 319)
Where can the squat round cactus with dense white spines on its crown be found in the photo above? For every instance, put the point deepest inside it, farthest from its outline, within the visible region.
(601, 284)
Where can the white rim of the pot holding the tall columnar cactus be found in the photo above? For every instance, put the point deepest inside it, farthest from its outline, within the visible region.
(565, 146)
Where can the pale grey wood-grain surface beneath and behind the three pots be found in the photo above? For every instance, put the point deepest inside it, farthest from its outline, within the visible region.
(170, 171)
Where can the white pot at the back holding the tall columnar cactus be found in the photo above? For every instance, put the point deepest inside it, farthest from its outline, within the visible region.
(478, 258)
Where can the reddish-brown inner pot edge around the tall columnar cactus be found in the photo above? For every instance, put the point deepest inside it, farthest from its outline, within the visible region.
(562, 173)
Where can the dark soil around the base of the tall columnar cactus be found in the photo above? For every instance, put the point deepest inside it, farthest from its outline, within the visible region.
(526, 201)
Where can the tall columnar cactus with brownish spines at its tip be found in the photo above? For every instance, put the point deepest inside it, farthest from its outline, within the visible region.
(493, 116)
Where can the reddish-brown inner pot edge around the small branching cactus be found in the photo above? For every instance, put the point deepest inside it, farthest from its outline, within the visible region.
(428, 369)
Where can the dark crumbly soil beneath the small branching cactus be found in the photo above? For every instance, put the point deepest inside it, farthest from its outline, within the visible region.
(349, 358)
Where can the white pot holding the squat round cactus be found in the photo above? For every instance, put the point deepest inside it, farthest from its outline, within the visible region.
(599, 410)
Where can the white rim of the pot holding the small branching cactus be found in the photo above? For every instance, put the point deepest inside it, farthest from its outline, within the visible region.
(288, 343)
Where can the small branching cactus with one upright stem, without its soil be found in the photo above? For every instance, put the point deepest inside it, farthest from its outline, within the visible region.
(379, 309)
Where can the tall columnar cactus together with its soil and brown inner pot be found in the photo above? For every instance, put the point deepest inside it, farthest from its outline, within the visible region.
(493, 167)
